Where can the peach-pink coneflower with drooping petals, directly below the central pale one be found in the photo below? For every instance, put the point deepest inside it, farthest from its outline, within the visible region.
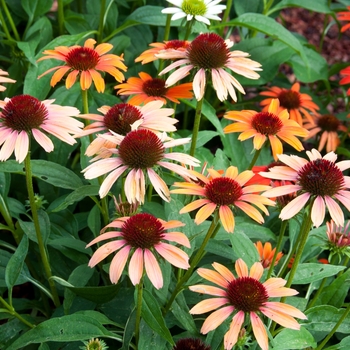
(142, 236)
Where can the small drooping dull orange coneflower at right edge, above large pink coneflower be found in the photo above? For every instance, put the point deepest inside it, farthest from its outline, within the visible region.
(325, 128)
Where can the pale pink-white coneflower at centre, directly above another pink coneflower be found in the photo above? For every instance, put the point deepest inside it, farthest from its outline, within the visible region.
(140, 151)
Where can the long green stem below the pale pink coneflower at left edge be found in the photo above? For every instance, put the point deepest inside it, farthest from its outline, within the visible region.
(42, 248)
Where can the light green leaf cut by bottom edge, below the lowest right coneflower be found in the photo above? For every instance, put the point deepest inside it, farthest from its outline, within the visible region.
(294, 339)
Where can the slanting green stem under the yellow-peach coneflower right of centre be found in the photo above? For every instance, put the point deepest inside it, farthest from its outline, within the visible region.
(215, 224)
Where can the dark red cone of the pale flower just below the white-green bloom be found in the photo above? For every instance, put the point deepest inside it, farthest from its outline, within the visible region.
(208, 51)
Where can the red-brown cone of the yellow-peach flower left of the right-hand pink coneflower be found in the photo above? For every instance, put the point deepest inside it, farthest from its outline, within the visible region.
(223, 191)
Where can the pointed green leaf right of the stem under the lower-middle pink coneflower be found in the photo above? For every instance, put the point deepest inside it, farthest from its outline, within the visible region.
(152, 315)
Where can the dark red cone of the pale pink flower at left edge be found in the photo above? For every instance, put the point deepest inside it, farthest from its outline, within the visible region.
(24, 113)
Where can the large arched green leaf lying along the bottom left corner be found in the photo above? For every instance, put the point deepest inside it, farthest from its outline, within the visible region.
(63, 329)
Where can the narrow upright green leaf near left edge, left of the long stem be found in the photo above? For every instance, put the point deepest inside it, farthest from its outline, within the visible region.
(16, 262)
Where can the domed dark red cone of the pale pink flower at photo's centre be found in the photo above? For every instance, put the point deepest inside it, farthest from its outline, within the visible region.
(141, 149)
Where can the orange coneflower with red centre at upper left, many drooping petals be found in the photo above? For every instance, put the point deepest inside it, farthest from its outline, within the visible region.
(85, 61)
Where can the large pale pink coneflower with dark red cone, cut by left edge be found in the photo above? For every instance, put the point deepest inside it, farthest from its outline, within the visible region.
(24, 115)
